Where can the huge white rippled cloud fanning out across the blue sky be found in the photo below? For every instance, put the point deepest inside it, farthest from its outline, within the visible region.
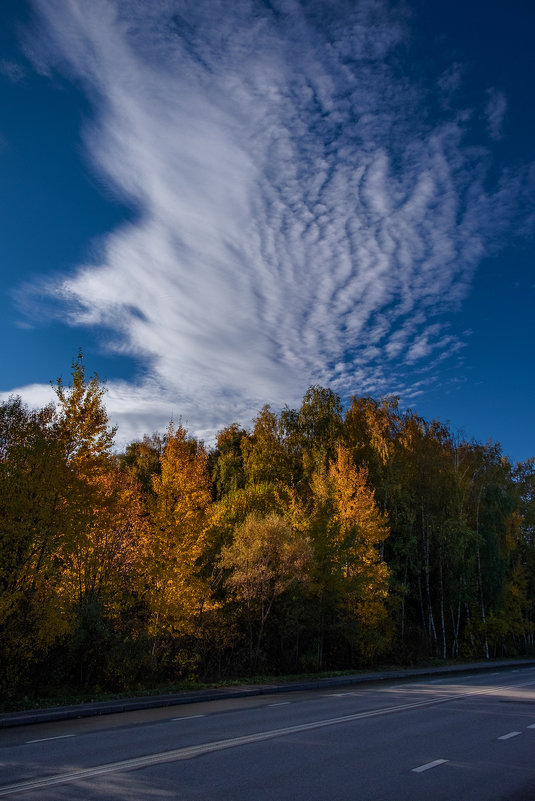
(297, 221)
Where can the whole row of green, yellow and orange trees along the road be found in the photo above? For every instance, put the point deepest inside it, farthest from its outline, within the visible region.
(322, 538)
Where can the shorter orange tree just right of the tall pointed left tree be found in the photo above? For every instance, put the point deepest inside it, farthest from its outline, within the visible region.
(101, 581)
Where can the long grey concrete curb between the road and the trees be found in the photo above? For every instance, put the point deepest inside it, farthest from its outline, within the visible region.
(92, 709)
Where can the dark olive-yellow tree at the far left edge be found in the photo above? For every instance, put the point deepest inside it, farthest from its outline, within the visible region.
(34, 522)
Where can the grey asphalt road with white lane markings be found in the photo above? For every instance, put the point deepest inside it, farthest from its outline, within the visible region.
(457, 738)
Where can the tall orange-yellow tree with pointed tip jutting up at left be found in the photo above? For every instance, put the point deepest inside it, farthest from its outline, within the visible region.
(90, 556)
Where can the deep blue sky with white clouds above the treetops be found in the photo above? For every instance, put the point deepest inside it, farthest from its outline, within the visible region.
(223, 203)
